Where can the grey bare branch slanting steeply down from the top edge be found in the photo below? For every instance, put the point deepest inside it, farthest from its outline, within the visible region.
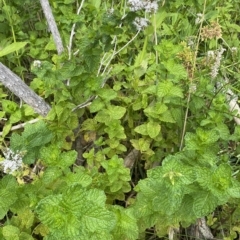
(52, 25)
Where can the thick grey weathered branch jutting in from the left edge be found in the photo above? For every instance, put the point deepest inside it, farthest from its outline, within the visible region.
(15, 84)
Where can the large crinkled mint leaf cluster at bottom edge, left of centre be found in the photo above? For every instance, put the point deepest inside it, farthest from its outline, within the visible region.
(73, 208)
